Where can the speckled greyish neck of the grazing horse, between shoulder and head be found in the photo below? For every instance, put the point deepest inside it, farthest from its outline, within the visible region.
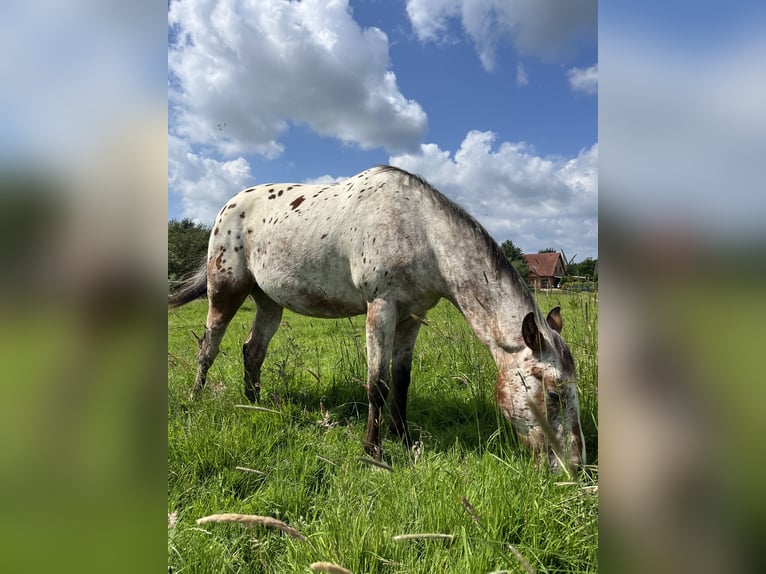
(493, 300)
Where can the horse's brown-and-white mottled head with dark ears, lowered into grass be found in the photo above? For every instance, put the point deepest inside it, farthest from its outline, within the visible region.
(537, 391)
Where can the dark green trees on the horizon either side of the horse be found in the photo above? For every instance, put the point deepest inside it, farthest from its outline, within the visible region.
(187, 248)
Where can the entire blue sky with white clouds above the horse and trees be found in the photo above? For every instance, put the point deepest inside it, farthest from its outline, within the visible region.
(494, 102)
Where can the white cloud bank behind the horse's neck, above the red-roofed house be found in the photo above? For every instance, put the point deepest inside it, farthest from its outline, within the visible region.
(537, 202)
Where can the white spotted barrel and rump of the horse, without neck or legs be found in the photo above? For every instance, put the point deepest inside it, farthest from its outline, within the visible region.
(326, 250)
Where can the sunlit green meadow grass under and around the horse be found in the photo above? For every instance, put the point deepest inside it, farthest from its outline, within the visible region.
(349, 511)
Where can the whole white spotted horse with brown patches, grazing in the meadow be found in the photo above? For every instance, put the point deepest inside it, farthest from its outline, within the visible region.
(387, 244)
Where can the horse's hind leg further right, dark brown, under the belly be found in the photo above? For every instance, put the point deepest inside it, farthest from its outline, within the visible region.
(267, 319)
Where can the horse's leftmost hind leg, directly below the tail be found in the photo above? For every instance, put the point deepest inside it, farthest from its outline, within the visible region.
(223, 302)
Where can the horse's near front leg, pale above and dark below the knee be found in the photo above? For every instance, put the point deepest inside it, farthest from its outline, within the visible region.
(381, 326)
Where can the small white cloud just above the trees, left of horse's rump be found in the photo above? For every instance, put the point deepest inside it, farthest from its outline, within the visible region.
(203, 183)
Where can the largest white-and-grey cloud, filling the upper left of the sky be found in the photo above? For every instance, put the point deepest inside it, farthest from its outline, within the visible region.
(241, 73)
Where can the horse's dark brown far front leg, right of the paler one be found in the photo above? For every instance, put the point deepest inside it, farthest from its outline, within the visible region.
(404, 344)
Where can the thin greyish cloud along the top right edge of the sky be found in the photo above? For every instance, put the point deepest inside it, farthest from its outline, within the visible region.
(544, 28)
